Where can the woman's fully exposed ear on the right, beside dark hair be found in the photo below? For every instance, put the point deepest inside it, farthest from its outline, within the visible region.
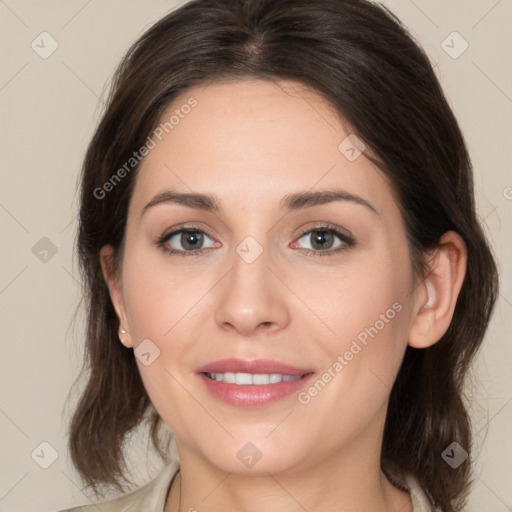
(437, 295)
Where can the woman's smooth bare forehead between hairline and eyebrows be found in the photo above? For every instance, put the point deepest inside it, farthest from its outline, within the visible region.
(253, 141)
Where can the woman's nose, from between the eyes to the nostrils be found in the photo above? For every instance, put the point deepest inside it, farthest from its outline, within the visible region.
(251, 298)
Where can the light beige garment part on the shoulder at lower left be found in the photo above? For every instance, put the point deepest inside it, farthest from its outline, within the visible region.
(150, 497)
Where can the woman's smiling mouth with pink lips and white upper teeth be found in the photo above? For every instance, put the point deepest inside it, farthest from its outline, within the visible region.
(258, 383)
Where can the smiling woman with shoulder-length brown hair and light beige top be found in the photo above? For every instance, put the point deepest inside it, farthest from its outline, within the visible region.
(243, 143)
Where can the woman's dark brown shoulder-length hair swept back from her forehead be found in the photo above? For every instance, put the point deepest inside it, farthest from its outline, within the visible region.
(358, 57)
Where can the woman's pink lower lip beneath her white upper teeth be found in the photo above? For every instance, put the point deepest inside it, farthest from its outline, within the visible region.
(253, 395)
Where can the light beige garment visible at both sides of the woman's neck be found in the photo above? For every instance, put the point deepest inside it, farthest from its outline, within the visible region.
(152, 496)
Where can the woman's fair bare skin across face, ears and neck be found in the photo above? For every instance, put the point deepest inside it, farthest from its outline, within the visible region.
(251, 143)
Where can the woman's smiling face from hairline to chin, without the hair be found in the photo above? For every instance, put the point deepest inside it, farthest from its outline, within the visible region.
(296, 264)
